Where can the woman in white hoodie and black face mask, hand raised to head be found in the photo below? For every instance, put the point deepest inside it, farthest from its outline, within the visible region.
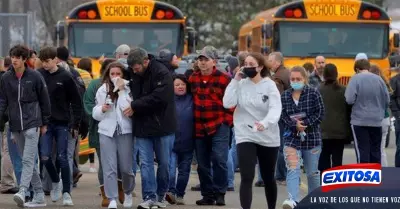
(258, 109)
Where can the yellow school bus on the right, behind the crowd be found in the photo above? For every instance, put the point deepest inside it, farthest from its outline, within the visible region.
(335, 29)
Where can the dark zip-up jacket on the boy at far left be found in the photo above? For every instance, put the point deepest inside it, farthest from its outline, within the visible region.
(27, 99)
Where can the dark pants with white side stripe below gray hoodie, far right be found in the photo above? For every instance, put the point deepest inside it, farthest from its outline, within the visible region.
(367, 143)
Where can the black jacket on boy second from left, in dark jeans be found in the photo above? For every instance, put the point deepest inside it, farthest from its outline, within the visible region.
(64, 95)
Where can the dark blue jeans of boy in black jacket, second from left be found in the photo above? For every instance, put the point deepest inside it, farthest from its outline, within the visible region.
(60, 134)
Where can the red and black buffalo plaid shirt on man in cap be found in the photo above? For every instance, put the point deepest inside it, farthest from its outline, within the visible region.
(209, 112)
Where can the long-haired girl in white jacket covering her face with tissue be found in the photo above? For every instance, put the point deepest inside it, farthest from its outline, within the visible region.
(115, 131)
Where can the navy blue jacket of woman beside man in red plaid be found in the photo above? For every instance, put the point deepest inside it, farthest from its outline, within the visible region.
(184, 141)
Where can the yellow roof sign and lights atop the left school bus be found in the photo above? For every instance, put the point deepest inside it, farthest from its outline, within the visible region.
(126, 11)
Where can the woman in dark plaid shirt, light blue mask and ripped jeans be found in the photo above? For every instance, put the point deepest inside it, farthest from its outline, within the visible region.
(302, 113)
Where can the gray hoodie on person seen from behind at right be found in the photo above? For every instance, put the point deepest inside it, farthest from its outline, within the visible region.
(369, 96)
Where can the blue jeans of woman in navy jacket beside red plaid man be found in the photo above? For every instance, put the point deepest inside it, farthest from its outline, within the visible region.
(177, 184)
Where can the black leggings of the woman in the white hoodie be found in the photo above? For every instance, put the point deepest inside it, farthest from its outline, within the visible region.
(248, 154)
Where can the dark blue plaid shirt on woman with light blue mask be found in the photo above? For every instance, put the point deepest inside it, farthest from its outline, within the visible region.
(310, 104)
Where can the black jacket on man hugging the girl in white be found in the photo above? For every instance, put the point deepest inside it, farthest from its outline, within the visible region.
(153, 101)
